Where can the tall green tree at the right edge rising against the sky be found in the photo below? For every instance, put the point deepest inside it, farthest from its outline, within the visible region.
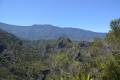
(113, 37)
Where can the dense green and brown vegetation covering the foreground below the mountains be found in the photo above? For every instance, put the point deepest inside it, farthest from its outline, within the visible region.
(61, 59)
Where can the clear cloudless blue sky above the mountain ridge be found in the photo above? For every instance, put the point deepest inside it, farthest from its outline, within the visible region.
(92, 15)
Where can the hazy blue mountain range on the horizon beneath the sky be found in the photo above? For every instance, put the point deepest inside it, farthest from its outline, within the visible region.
(49, 32)
